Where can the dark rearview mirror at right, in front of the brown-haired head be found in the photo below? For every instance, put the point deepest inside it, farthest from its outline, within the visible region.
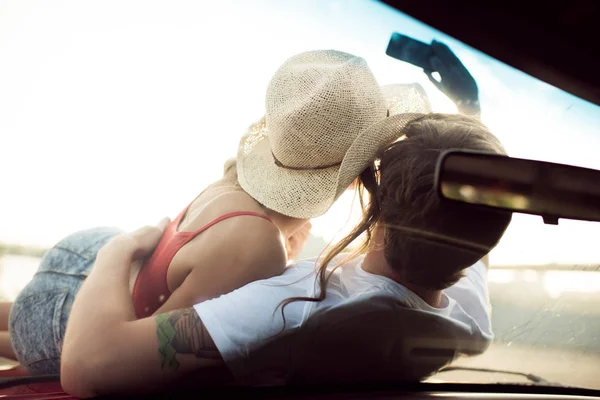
(526, 186)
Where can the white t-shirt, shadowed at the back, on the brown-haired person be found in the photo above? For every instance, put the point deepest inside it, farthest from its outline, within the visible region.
(368, 328)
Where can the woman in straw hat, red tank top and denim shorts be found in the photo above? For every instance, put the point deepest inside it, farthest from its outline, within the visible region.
(291, 166)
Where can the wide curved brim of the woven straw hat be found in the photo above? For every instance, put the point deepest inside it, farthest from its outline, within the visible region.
(310, 193)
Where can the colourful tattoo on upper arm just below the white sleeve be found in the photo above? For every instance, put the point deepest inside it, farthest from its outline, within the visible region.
(182, 332)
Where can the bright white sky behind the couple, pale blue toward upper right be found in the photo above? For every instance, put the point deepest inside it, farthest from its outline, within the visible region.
(120, 112)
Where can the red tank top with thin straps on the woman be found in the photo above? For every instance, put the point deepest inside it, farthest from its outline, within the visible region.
(150, 290)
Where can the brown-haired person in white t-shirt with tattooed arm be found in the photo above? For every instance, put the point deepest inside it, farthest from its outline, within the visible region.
(413, 297)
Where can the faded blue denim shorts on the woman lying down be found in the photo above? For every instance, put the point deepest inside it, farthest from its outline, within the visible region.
(39, 315)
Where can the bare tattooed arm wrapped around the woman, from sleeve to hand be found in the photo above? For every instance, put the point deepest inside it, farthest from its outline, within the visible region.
(106, 350)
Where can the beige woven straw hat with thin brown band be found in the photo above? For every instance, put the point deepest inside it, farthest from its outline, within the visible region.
(326, 119)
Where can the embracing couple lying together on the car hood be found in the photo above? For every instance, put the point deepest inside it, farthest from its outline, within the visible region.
(210, 297)
